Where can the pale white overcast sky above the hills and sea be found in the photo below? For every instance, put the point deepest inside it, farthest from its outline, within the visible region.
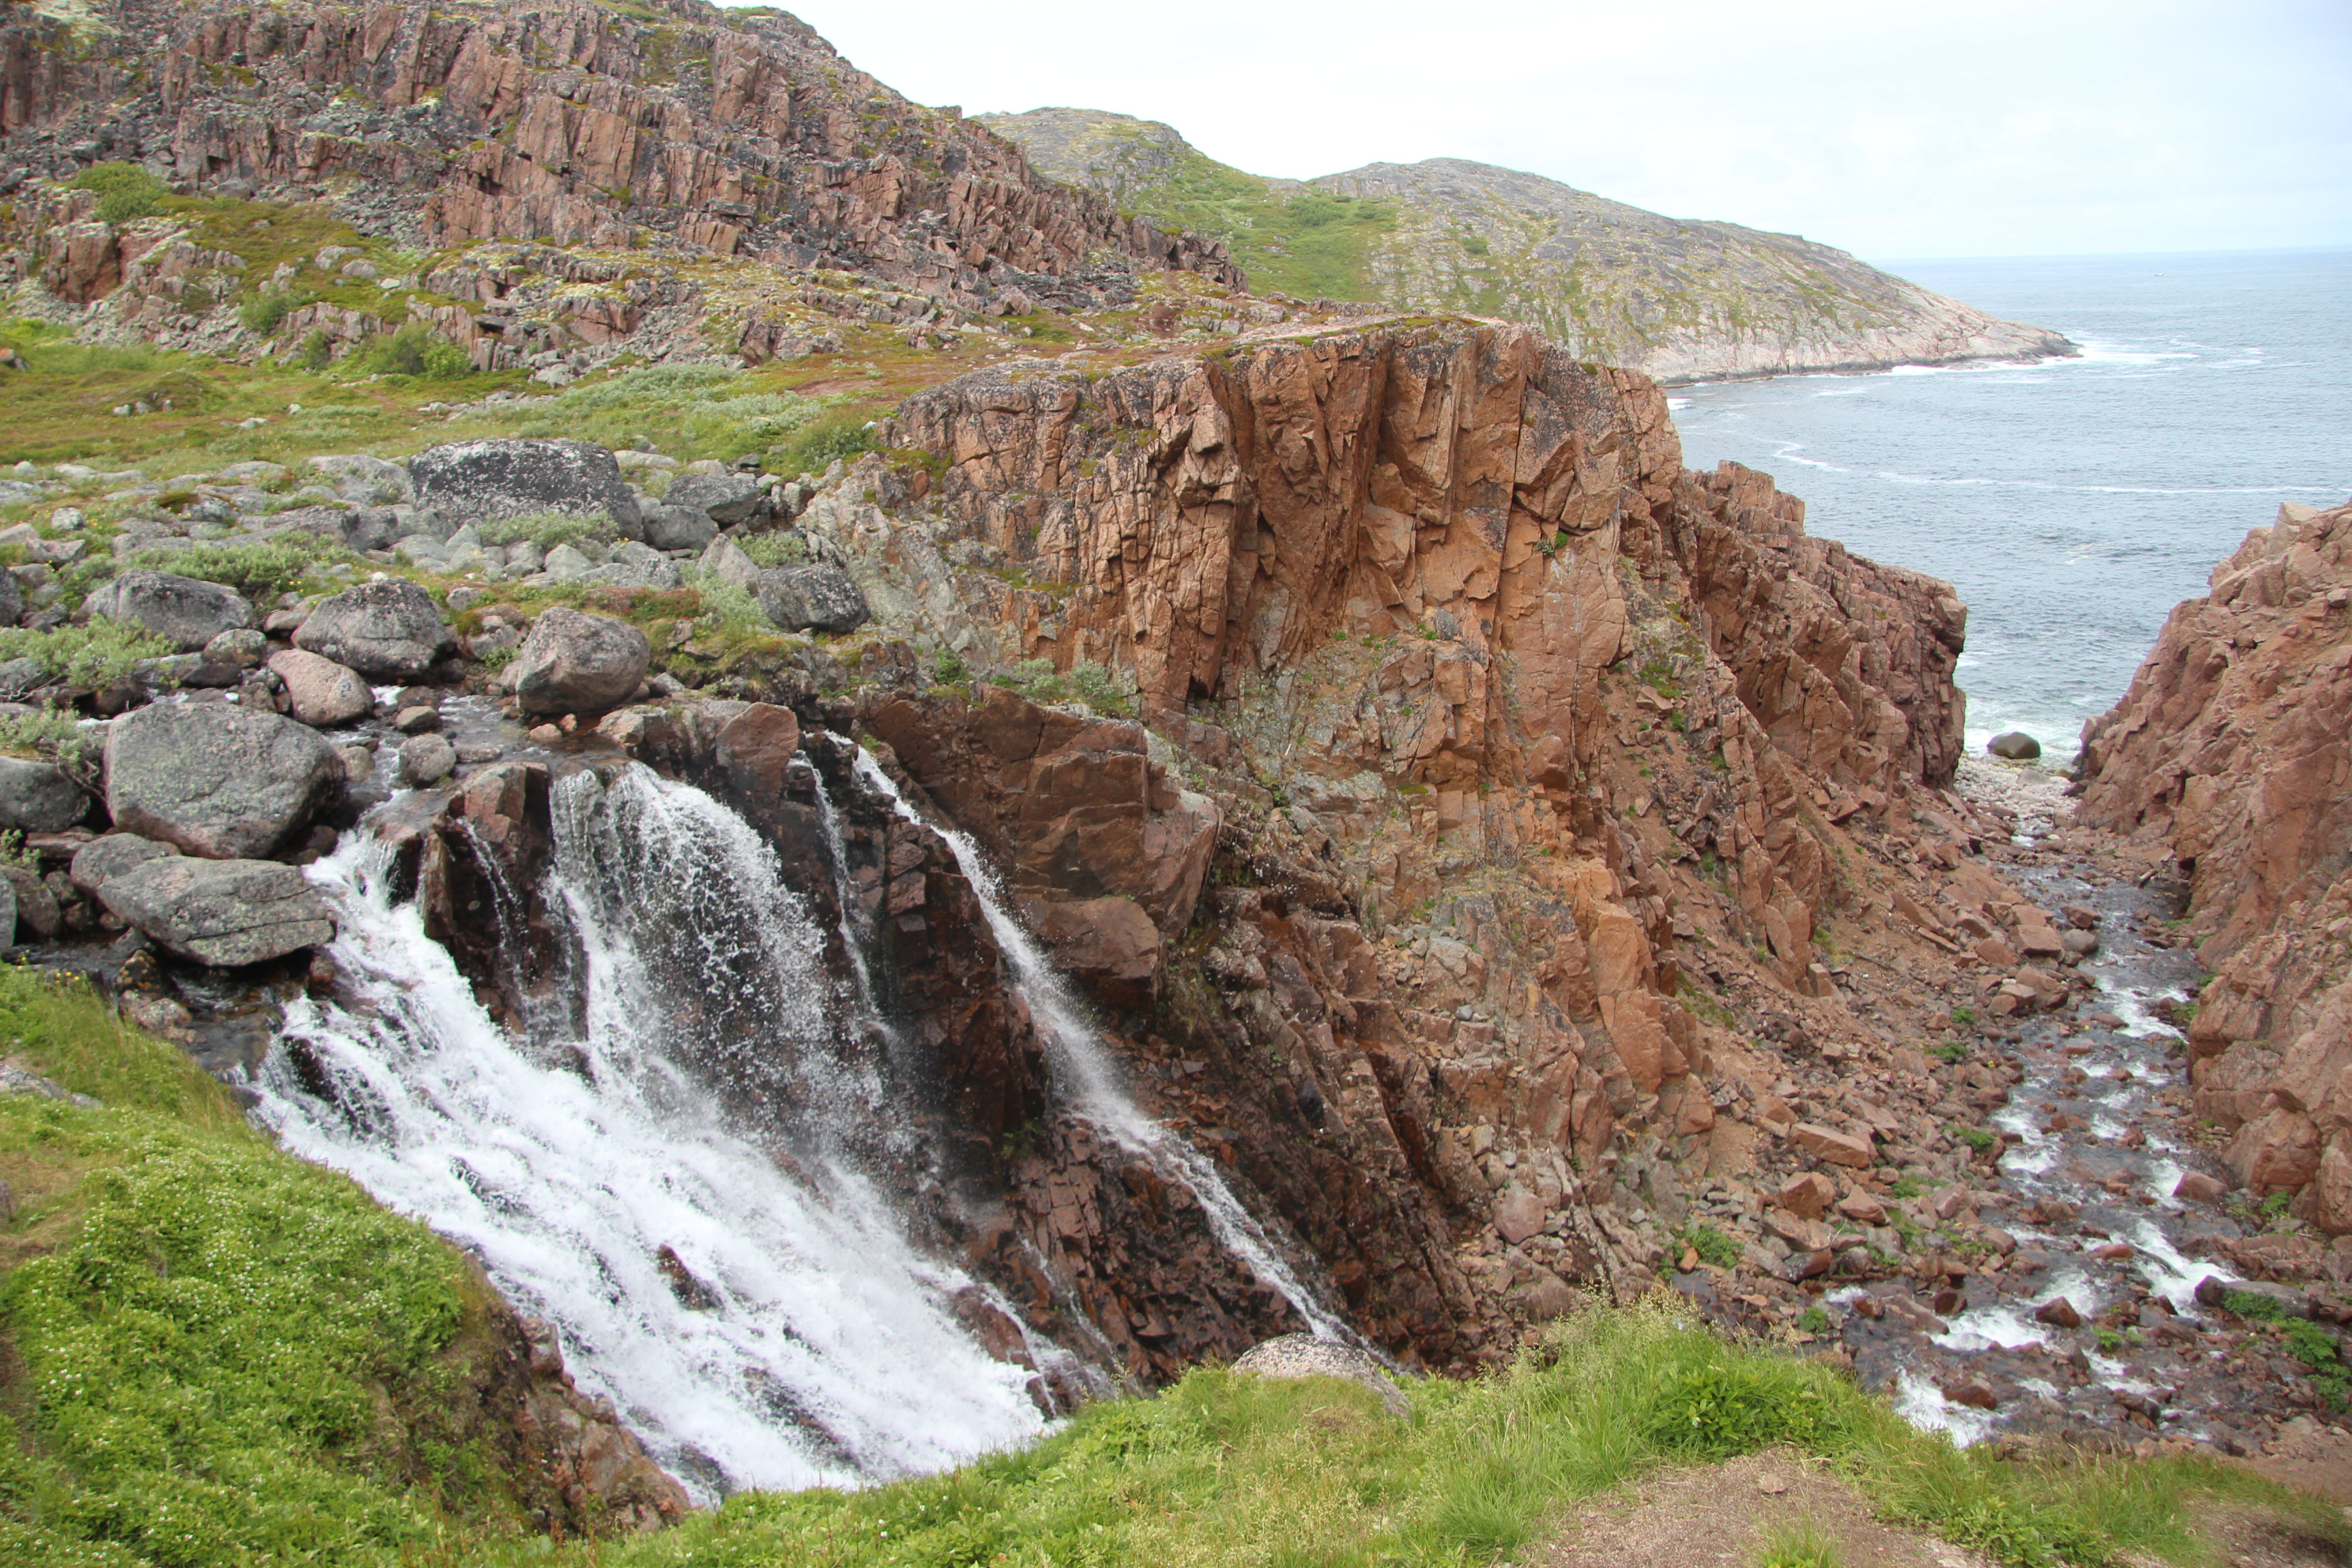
(1890, 128)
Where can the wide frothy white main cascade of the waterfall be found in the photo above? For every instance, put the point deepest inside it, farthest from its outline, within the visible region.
(827, 1351)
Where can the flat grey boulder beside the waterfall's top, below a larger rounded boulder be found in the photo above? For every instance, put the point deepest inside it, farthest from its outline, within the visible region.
(222, 913)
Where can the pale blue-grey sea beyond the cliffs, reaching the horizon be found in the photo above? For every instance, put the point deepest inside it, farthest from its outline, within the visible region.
(2071, 502)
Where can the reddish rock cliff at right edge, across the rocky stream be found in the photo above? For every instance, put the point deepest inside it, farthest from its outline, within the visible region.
(2236, 751)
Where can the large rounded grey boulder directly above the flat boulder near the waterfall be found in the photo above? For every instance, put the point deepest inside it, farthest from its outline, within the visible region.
(218, 779)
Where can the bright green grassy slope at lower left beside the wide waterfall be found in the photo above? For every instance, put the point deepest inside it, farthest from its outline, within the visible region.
(213, 1353)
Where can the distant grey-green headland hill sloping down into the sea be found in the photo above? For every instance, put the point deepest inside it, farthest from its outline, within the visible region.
(1678, 300)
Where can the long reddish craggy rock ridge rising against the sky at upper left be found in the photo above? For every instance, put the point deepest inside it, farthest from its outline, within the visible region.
(716, 133)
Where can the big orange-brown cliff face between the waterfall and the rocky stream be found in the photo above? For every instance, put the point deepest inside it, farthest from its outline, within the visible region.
(1539, 768)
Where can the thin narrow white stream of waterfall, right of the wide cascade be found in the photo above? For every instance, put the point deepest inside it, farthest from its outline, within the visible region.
(1090, 1080)
